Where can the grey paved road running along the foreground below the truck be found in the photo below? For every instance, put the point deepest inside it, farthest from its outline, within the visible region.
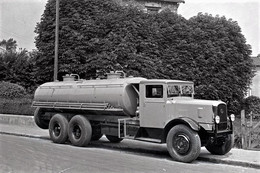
(26, 155)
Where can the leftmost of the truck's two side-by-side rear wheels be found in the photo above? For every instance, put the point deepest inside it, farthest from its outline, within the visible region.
(58, 129)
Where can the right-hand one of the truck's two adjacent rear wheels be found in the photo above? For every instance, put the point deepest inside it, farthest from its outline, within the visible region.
(80, 131)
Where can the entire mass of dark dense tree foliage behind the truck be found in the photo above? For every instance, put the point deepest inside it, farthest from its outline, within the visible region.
(99, 35)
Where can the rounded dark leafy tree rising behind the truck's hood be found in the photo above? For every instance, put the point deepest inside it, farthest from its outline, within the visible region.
(222, 63)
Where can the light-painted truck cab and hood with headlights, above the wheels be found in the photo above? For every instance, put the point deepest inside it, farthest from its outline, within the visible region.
(164, 100)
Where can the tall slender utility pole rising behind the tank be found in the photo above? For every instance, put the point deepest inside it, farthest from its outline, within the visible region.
(56, 41)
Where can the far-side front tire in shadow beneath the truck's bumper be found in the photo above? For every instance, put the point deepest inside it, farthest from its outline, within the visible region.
(223, 148)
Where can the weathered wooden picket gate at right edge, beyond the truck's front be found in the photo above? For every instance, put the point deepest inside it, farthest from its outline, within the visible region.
(250, 128)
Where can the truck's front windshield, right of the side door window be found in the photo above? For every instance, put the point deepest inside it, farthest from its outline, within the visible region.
(175, 90)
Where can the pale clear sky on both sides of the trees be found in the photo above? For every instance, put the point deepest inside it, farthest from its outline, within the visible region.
(18, 18)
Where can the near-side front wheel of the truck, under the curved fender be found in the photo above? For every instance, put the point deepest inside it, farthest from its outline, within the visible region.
(183, 144)
